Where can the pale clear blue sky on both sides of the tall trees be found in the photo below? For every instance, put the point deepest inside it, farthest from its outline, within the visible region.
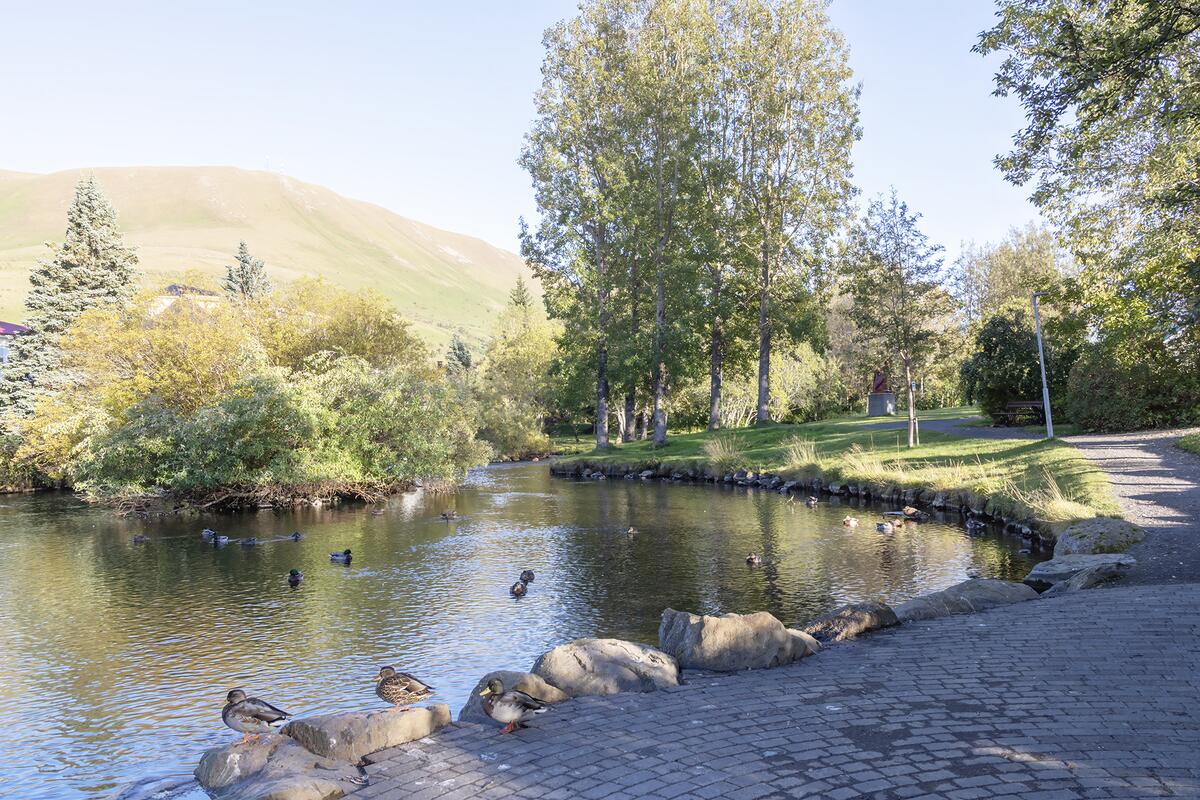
(422, 107)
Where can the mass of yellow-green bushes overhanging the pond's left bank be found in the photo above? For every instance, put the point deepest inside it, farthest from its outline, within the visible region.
(266, 400)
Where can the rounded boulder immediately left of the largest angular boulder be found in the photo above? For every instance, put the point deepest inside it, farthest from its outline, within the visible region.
(607, 667)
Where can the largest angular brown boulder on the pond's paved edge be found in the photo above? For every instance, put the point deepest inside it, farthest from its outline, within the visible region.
(730, 642)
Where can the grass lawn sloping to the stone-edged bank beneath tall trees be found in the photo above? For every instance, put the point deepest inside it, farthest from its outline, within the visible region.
(1030, 479)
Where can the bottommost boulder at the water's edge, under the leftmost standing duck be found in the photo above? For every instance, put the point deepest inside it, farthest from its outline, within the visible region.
(274, 768)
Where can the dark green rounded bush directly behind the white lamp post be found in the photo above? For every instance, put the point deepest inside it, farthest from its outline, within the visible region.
(1004, 366)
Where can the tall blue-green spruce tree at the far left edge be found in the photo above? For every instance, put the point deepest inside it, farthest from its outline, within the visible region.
(93, 267)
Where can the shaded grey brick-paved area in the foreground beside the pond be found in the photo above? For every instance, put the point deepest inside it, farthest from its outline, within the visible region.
(1091, 695)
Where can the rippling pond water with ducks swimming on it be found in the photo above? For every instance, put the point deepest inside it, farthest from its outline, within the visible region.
(116, 657)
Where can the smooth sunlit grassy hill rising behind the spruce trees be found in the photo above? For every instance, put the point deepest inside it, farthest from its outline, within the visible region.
(184, 219)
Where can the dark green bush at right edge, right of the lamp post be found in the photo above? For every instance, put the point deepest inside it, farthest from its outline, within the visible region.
(1131, 387)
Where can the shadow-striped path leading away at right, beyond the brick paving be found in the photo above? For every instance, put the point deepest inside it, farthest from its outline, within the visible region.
(1159, 488)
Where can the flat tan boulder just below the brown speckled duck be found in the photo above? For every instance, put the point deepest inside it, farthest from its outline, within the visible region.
(351, 736)
